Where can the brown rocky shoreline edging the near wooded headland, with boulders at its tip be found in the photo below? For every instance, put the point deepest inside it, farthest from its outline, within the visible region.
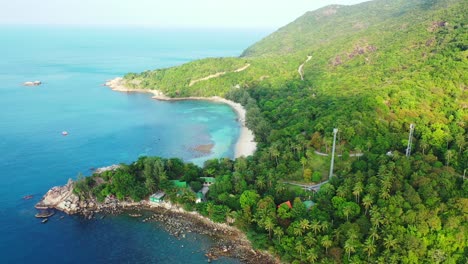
(229, 241)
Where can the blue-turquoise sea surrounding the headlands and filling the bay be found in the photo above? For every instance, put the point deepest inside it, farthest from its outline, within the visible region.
(105, 128)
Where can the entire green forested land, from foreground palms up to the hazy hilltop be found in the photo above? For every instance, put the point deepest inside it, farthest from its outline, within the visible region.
(374, 69)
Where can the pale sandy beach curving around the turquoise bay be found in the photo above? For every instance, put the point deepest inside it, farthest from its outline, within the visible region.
(245, 145)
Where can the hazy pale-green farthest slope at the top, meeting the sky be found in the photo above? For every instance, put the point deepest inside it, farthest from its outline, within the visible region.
(323, 26)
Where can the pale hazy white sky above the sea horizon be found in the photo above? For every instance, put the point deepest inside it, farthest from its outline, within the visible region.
(167, 13)
